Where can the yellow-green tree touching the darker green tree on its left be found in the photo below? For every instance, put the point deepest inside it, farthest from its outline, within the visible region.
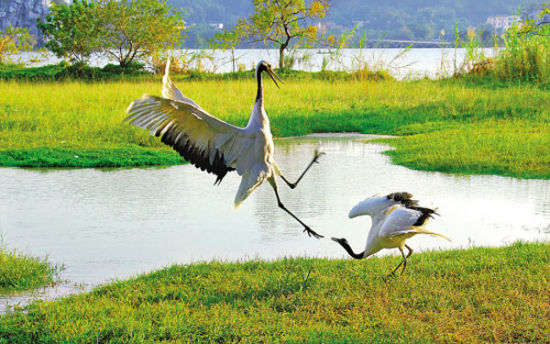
(139, 28)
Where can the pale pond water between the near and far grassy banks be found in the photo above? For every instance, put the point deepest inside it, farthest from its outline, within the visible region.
(112, 224)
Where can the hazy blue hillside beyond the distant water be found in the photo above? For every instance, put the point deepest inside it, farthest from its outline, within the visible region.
(388, 19)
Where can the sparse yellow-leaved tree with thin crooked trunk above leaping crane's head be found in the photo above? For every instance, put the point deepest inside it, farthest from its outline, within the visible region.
(278, 22)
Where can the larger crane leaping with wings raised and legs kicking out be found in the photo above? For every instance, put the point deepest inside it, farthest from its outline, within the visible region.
(214, 145)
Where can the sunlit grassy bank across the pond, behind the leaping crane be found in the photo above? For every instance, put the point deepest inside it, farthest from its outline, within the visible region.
(48, 124)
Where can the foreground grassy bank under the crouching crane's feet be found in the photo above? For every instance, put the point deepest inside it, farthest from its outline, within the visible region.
(474, 295)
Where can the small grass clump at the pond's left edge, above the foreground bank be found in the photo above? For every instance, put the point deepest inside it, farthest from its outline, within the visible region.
(20, 272)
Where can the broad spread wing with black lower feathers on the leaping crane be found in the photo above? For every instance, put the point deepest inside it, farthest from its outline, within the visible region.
(207, 142)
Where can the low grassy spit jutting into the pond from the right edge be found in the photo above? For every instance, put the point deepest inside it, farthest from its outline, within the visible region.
(507, 148)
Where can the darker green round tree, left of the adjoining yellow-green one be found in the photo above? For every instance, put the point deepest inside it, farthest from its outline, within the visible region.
(73, 31)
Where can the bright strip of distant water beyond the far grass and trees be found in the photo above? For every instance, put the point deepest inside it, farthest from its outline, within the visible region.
(413, 63)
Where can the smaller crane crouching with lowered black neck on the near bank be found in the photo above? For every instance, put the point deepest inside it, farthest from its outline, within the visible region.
(395, 218)
